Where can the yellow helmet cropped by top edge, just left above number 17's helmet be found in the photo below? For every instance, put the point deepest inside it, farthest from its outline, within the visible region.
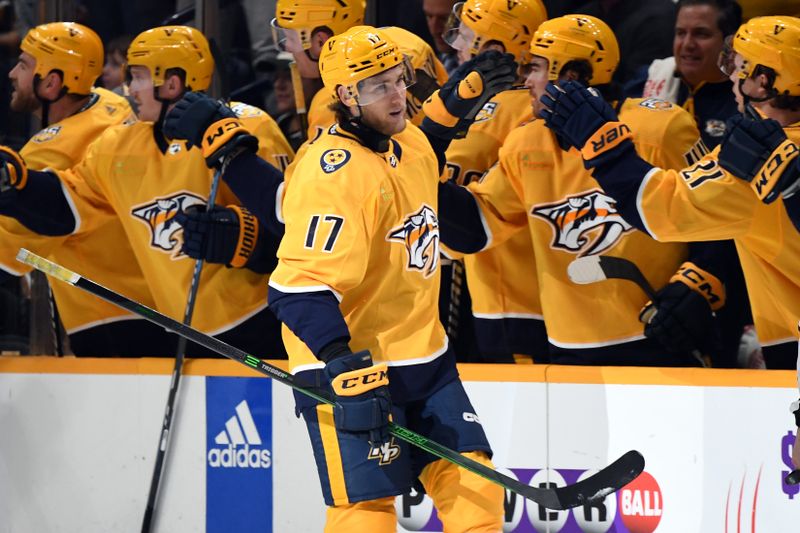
(304, 16)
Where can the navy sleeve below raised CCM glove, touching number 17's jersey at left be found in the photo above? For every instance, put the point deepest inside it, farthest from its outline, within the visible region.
(255, 182)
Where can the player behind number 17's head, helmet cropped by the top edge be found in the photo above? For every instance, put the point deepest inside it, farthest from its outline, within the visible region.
(302, 27)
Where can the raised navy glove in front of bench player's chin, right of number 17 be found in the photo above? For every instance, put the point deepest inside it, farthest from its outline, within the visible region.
(580, 117)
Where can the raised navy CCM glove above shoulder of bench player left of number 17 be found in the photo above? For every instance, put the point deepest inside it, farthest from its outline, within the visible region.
(208, 123)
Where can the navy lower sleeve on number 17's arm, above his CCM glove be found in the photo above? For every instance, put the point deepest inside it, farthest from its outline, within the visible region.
(314, 317)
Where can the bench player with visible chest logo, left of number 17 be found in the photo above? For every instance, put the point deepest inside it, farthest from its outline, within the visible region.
(134, 174)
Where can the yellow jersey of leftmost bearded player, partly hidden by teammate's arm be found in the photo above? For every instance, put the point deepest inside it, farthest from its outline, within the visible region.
(60, 146)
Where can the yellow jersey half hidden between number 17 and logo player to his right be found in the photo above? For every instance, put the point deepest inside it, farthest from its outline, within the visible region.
(498, 285)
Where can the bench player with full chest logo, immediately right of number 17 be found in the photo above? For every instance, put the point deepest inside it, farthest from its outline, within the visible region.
(539, 188)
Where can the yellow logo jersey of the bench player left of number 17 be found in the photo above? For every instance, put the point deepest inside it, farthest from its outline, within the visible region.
(124, 176)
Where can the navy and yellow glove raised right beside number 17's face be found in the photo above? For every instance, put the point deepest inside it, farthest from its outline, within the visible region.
(450, 111)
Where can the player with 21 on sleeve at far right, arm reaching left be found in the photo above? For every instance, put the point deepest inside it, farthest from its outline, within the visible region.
(707, 200)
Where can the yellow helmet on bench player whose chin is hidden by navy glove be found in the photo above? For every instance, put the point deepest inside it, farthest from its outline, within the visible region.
(577, 37)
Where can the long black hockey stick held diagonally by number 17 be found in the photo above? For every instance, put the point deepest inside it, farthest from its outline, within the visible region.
(594, 488)
